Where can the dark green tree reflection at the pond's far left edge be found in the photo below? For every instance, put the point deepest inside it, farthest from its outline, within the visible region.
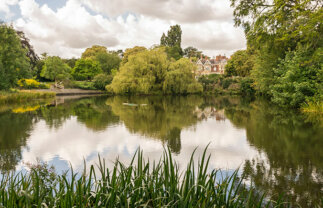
(14, 130)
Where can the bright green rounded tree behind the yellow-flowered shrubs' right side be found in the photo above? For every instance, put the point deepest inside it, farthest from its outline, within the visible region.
(55, 69)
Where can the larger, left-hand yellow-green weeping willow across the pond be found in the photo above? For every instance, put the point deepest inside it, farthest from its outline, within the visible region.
(144, 73)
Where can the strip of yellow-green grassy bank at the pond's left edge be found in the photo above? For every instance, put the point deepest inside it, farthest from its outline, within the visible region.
(22, 96)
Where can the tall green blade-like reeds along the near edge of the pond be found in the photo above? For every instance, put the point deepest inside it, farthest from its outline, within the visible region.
(139, 184)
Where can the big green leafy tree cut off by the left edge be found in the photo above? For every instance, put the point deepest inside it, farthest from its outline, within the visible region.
(14, 64)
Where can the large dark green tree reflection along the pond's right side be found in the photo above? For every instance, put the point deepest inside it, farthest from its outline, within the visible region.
(294, 165)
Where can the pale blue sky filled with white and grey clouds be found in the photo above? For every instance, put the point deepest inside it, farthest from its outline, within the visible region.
(67, 27)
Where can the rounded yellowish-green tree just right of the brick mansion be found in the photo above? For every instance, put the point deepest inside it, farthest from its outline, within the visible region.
(240, 64)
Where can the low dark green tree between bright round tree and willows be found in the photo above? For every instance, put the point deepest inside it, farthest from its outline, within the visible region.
(86, 69)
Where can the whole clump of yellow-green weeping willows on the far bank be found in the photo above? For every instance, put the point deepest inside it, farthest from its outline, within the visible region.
(150, 72)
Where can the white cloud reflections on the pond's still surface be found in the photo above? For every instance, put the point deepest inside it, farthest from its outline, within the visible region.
(74, 142)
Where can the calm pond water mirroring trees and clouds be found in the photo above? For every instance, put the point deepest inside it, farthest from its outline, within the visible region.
(281, 151)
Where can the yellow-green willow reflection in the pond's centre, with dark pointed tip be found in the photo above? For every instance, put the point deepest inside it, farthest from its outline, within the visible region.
(159, 117)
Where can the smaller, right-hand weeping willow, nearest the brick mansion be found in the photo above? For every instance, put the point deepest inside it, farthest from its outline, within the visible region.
(180, 79)
